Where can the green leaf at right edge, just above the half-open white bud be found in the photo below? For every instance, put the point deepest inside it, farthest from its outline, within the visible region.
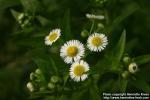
(142, 59)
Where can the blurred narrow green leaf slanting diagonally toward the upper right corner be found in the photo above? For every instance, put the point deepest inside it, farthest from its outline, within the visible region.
(127, 11)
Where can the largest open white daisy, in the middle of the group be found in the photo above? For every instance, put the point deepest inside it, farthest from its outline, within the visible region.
(72, 51)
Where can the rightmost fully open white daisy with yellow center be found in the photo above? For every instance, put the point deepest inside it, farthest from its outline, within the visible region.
(97, 42)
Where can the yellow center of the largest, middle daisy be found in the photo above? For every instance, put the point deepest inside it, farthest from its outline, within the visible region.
(72, 51)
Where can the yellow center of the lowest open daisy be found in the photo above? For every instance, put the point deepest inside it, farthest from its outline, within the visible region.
(79, 70)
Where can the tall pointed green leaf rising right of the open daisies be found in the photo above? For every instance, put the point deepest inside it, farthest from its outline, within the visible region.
(112, 58)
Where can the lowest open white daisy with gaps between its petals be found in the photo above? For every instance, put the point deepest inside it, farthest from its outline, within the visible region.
(78, 71)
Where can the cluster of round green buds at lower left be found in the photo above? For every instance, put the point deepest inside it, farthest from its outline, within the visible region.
(38, 83)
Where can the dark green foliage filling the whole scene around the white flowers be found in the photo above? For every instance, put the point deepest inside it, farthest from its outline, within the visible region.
(25, 57)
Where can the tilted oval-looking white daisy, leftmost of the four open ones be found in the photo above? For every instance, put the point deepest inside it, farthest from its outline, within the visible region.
(53, 36)
